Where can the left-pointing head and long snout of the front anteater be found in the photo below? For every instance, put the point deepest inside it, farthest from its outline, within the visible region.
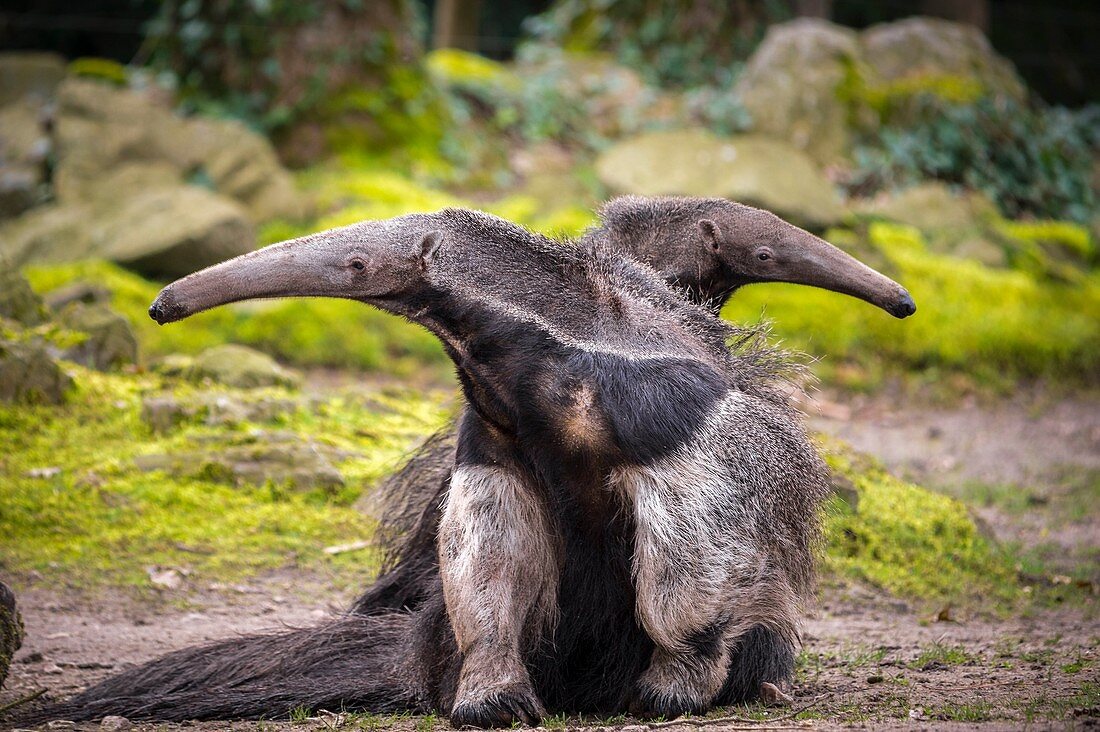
(372, 261)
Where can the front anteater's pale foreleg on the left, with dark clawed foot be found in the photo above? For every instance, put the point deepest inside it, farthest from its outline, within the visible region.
(500, 565)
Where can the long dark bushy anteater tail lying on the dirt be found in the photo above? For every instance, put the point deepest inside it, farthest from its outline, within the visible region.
(350, 663)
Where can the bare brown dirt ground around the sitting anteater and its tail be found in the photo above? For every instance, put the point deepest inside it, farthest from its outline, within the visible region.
(868, 660)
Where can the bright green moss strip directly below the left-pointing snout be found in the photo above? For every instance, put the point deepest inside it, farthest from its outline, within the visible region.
(301, 332)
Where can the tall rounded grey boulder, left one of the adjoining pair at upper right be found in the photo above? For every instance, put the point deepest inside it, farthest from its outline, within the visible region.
(790, 86)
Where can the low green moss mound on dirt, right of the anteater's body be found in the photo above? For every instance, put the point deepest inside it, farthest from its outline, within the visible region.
(909, 541)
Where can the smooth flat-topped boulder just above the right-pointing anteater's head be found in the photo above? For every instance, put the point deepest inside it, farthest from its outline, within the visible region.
(751, 169)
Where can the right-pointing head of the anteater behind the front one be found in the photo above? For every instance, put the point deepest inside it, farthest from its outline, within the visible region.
(714, 246)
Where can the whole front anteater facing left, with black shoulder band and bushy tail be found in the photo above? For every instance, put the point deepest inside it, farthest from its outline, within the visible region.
(632, 497)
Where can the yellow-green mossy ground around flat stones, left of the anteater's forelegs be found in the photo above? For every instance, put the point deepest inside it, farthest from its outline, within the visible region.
(94, 519)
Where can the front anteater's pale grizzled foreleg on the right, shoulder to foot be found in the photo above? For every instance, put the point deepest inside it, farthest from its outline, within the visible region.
(703, 583)
